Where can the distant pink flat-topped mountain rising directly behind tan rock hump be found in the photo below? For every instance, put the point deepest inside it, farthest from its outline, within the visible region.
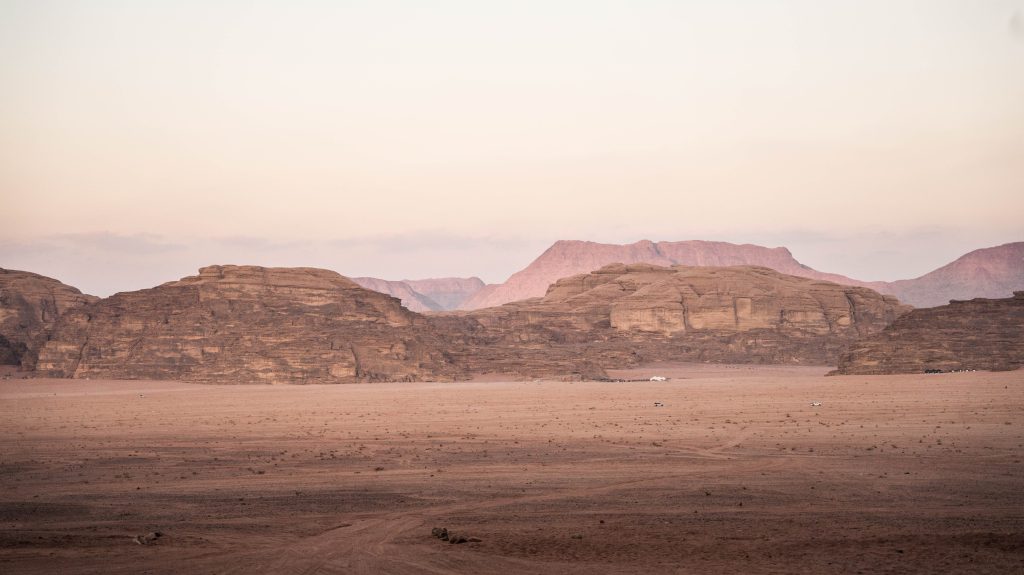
(568, 258)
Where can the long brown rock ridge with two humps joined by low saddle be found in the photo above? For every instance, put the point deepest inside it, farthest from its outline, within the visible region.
(252, 325)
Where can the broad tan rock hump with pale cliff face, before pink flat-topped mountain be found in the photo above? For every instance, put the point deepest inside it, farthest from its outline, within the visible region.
(624, 316)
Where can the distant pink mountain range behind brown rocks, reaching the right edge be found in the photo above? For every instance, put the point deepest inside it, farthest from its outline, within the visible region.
(993, 273)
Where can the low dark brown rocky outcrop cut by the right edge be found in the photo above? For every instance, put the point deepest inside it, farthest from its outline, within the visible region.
(980, 334)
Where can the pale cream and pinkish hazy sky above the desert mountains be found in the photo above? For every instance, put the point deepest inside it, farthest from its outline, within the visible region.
(403, 140)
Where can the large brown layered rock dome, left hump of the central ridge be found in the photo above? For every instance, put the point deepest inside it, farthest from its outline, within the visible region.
(248, 325)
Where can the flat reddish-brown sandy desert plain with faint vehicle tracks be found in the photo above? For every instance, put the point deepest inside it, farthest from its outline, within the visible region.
(737, 473)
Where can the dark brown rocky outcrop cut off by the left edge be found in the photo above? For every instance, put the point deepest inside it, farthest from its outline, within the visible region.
(30, 305)
